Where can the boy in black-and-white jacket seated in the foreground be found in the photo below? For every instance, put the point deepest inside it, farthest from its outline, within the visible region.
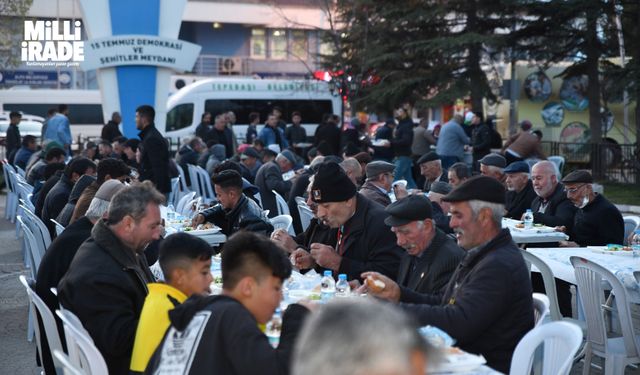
(220, 334)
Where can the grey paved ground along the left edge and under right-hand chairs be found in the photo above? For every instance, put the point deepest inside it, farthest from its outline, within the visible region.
(17, 355)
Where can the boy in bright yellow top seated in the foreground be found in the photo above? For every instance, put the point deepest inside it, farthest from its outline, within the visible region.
(186, 263)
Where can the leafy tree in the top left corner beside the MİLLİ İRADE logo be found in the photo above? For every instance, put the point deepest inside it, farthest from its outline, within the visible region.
(12, 13)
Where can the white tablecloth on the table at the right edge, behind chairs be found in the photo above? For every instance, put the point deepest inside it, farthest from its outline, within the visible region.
(620, 265)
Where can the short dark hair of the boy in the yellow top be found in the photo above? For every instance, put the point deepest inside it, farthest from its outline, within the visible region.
(180, 250)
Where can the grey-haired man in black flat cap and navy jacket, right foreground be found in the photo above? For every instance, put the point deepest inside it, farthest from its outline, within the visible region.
(487, 305)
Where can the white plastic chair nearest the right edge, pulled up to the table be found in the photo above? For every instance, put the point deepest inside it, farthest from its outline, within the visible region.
(620, 351)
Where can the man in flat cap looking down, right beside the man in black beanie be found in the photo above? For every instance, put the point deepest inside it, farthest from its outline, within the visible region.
(431, 256)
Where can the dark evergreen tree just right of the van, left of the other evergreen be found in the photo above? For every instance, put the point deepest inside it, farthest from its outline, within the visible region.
(425, 52)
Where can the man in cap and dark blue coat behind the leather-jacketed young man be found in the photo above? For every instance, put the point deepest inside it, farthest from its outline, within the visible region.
(269, 178)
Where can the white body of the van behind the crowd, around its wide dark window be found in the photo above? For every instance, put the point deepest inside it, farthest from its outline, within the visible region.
(245, 95)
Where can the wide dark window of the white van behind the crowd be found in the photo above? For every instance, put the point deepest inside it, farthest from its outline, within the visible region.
(310, 110)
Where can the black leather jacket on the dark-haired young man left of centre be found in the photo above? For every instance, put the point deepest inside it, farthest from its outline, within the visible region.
(245, 215)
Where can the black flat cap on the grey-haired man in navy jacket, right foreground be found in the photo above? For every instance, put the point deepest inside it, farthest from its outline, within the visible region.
(481, 188)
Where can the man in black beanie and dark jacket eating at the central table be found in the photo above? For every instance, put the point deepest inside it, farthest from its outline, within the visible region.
(364, 242)
